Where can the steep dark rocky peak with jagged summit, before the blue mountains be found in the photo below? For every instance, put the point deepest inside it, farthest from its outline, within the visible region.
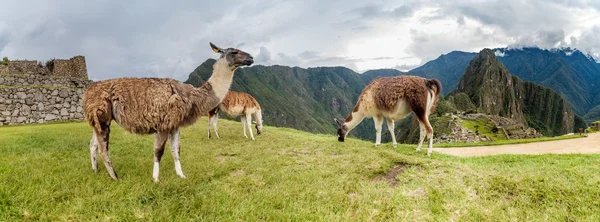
(494, 91)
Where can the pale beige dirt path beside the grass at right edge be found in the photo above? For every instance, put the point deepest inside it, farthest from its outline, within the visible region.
(590, 144)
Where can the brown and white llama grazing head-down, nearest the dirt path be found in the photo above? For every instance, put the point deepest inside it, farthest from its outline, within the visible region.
(394, 98)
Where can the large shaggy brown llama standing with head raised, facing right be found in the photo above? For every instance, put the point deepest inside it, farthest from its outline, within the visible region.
(156, 106)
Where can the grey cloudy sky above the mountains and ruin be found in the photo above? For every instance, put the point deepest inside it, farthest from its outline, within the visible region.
(170, 38)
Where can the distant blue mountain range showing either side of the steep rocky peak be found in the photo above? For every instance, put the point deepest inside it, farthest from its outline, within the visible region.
(567, 71)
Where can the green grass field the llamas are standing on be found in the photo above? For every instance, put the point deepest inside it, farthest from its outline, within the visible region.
(285, 175)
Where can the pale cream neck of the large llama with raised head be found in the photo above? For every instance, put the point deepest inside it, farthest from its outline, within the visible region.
(221, 78)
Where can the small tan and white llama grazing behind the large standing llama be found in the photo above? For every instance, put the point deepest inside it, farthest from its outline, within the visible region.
(237, 104)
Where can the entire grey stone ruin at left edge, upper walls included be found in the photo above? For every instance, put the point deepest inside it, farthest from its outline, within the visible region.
(32, 92)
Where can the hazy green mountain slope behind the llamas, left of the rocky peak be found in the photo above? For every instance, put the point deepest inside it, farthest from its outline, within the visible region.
(305, 99)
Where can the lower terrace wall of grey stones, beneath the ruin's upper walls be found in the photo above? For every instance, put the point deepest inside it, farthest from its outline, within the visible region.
(39, 105)
